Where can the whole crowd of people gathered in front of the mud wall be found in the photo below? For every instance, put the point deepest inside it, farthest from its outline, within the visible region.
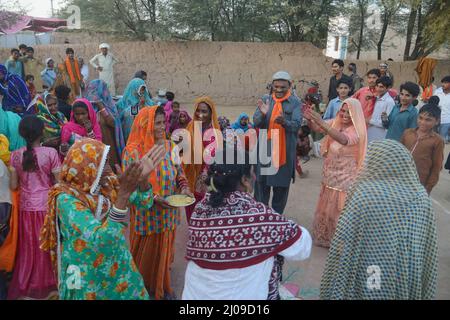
(85, 177)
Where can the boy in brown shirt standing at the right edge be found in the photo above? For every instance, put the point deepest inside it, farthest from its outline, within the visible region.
(426, 146)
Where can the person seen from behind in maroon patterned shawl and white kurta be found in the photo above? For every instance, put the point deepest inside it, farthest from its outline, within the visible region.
(226, 260)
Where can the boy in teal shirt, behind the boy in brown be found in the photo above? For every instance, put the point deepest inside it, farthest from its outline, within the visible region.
(403, 115)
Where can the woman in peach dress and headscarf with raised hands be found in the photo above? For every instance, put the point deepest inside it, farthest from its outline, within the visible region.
(343, 149)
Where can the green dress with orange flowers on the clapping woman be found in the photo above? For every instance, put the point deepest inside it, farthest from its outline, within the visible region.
(96, 263)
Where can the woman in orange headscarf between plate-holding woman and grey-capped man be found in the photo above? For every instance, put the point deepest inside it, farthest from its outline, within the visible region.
(210, 134)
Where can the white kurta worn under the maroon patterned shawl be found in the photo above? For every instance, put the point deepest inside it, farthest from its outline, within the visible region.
(250, 283)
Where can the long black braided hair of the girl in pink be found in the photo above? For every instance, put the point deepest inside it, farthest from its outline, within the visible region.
(31, 128)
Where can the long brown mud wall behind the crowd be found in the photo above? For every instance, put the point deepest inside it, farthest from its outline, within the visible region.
(232, 73)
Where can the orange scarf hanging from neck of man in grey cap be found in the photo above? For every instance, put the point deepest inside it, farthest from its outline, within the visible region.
(278, 154)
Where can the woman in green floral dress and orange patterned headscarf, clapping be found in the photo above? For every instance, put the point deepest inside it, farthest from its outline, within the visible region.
(85, 224)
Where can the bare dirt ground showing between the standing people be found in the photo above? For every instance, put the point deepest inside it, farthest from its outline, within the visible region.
(301, 205)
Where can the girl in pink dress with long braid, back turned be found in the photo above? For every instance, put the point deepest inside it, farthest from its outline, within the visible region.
(33, 170)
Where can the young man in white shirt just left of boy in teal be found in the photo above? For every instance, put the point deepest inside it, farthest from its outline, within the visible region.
(384, 104)
